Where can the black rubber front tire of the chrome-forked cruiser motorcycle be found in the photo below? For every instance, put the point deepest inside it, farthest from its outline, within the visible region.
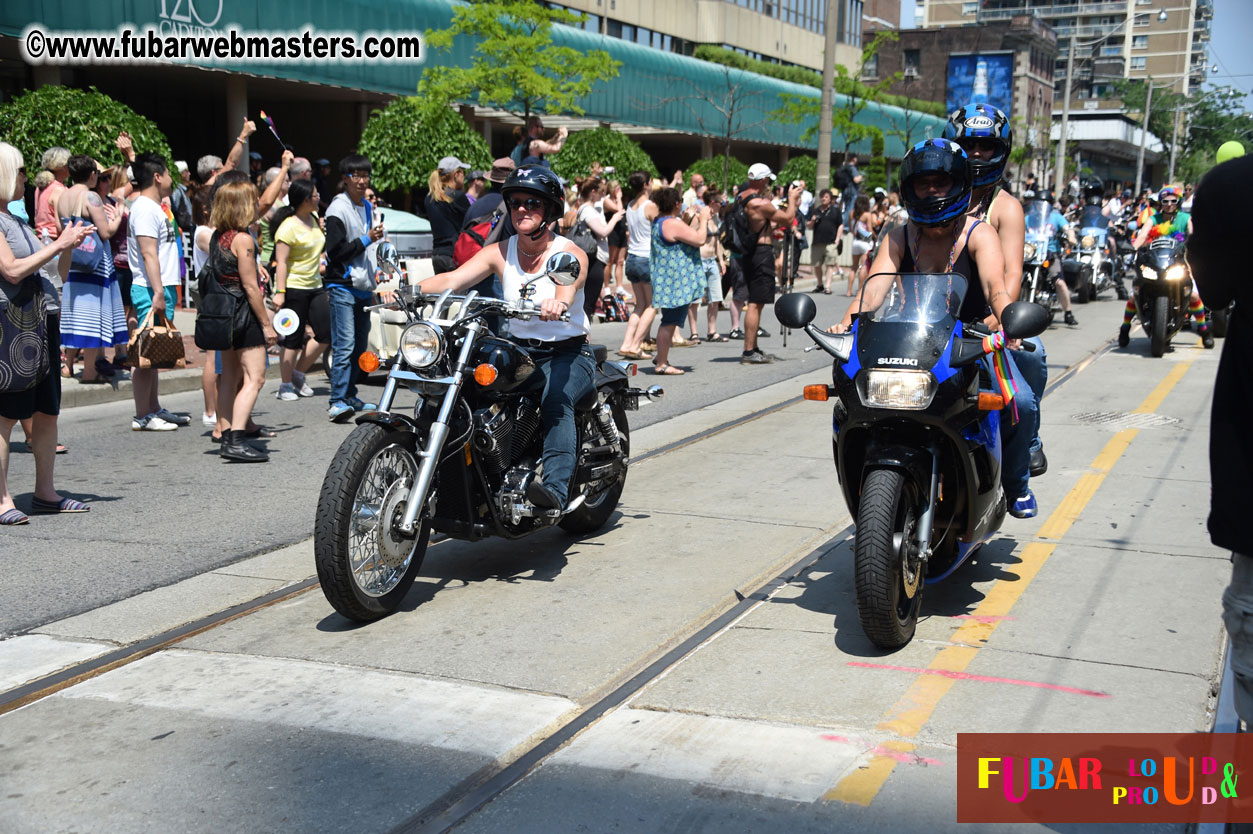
(336, 525)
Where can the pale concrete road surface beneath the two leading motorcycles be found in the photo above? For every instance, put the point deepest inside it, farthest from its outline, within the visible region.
(1100, 615)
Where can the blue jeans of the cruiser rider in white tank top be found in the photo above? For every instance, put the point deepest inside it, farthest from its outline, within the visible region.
(566, 376)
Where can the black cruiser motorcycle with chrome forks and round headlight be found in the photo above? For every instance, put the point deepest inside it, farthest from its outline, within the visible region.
(460, 463)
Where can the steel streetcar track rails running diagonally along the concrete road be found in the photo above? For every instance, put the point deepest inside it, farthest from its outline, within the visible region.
(465, 800)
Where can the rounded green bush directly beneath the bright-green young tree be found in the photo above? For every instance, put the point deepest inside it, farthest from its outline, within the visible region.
(408, 138)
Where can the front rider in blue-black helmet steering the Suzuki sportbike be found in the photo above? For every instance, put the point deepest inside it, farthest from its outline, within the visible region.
(942, 237)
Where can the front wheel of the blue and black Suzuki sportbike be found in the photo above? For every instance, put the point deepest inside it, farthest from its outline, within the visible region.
(888, 565)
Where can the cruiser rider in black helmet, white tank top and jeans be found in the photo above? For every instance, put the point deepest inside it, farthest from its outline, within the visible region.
(564, 361)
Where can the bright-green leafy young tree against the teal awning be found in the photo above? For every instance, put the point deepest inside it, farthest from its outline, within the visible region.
(516, 66)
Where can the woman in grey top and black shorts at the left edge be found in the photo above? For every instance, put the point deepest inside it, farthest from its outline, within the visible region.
(33, 388)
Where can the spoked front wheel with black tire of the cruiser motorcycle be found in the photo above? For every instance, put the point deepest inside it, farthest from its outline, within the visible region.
(365, 565)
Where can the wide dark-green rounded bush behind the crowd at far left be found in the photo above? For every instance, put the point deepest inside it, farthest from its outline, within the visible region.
(86, 122)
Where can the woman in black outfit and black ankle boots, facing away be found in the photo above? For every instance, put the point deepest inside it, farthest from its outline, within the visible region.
(234, 254)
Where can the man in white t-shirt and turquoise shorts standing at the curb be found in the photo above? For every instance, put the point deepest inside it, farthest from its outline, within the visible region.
(152, 247)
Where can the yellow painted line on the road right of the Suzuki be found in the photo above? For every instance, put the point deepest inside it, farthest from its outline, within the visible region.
(915, 708)
